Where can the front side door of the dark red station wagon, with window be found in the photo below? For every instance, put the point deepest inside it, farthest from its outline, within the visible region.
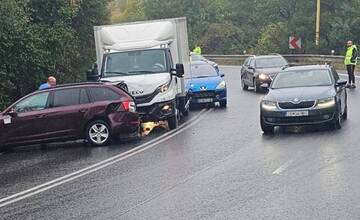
(28, 124)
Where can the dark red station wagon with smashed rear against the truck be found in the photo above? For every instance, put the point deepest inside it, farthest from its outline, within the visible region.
(96, 112)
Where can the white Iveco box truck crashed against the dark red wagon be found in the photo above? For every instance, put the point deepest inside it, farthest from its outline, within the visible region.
(151, 60)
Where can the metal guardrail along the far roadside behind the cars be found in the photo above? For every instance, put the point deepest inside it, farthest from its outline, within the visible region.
(294, 59)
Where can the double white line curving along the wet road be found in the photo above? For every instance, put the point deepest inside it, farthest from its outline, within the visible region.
(100, 165)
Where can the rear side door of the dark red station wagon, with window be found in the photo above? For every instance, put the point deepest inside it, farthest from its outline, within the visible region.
(67, 113)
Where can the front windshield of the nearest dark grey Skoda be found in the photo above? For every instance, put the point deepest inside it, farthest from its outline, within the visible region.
(302, 78)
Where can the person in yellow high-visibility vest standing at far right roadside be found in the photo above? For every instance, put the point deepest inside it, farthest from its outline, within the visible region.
(350, 62)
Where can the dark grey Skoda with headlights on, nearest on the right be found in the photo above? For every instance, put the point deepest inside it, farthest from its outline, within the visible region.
(304, 95)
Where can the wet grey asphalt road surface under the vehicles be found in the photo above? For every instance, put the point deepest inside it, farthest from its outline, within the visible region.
(217, 166)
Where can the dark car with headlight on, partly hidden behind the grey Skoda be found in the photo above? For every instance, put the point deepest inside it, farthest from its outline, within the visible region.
(258, 71)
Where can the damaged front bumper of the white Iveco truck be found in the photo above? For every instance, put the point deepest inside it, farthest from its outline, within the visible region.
(157, 112)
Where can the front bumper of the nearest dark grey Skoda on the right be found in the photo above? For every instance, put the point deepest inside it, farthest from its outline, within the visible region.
(315, 116)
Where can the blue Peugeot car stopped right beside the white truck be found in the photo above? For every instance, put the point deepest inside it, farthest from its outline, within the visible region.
(207, 85)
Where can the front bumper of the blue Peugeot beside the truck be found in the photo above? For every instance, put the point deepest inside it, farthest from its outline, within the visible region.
(208, 96)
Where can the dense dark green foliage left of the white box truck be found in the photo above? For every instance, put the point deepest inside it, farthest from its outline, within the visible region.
(39, 38)
